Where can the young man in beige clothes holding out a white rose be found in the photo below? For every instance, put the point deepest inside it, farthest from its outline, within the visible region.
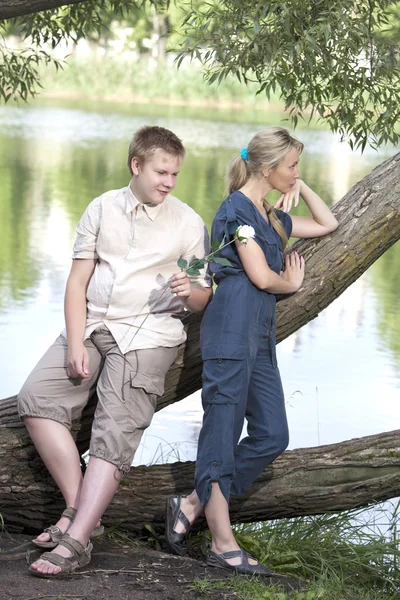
(122, 297)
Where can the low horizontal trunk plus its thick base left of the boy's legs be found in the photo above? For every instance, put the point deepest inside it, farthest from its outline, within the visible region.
(301, 482)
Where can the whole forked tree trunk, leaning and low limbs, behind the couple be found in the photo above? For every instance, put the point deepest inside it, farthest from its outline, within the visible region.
(301, 482)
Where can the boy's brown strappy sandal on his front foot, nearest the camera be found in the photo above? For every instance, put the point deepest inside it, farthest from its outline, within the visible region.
(80, 557)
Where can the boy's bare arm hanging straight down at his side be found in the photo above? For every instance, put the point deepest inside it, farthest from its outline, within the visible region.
(75, 316)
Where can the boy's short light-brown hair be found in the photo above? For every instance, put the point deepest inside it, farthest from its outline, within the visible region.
(150, 138)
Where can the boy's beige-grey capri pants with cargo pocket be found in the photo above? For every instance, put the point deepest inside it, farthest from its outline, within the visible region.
(127, 388)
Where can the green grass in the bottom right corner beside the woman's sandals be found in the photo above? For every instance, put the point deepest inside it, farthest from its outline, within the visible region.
(353, 555)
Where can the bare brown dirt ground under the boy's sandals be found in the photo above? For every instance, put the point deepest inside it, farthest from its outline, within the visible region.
(116, 572)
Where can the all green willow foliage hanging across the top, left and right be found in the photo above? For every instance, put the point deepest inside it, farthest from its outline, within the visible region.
(337, 60)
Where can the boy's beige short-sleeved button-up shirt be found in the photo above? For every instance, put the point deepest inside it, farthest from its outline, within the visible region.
(137, 247)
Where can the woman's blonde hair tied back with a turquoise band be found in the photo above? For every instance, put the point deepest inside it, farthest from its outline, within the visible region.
(265, 151)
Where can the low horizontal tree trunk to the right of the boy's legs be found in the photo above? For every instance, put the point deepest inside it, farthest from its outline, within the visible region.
(301, 482)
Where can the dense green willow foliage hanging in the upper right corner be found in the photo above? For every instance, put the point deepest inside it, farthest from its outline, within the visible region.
(327, 58)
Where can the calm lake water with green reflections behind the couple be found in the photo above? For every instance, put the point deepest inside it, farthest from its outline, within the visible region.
(341, 372)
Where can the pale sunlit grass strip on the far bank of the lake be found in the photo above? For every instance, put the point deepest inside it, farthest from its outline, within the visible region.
(140, 81)
